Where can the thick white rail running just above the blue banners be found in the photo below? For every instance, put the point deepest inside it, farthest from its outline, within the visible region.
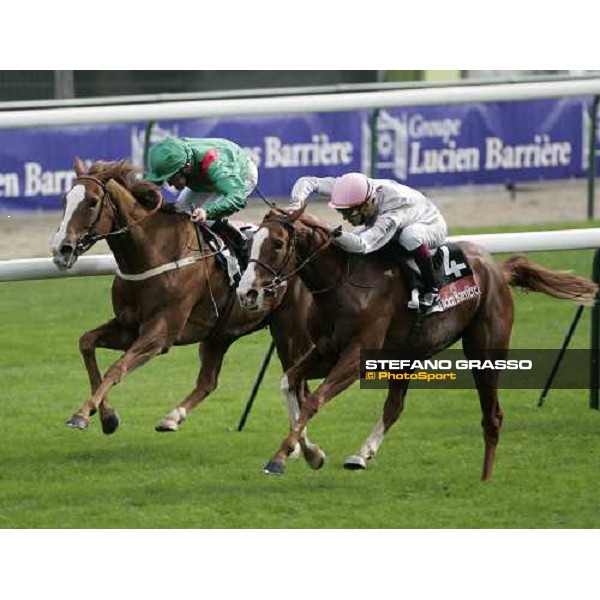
(297, 104)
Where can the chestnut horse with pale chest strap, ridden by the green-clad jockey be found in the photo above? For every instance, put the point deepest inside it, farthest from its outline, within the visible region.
(169, 290)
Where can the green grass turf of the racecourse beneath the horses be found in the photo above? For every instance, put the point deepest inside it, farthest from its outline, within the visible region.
(209, 476)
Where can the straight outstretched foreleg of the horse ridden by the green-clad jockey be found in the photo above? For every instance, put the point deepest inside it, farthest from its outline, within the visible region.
(154, 338)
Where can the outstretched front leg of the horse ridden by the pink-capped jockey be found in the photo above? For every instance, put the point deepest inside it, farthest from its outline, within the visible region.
(345, 372)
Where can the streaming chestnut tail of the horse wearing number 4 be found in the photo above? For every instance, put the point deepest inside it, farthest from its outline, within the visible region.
(520, 272)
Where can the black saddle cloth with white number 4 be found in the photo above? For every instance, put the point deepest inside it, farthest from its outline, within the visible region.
(453, 277)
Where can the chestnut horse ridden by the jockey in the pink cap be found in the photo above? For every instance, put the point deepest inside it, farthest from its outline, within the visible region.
(364, 304)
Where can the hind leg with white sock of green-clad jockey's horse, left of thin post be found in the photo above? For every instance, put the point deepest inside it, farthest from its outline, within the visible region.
(211, 357)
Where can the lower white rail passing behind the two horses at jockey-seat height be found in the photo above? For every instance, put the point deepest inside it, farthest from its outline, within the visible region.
(566, 239)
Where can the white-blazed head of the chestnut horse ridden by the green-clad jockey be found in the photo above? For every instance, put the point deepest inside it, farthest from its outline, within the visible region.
(94, 207)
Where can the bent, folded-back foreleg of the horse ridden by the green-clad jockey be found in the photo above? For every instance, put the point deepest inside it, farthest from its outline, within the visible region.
(111, 335)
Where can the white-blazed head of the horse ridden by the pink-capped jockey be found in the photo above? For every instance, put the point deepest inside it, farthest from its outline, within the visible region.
(283, 245)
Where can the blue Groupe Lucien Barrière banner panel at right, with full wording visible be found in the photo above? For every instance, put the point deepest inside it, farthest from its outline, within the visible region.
(484, 143)
